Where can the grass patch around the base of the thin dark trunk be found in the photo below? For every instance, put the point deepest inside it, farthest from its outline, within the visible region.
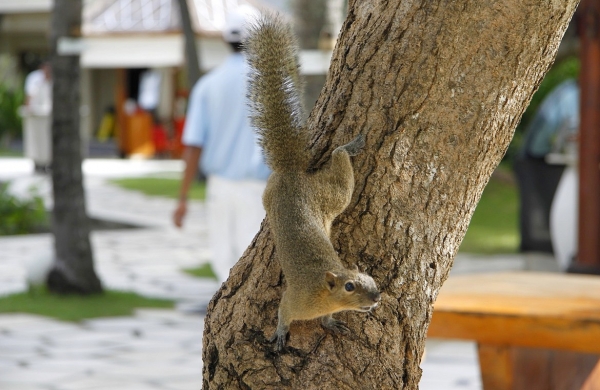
(76, 308)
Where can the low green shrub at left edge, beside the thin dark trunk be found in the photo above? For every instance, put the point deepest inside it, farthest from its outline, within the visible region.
(21, 216)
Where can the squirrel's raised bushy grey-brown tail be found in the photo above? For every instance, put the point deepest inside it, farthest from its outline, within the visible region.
(275, 94)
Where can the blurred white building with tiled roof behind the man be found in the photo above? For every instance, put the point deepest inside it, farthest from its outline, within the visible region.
(132, 59)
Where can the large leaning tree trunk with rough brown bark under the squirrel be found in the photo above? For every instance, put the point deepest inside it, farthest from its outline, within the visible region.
(437, 88)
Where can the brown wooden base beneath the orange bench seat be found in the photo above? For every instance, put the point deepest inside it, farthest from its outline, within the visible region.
(519, 368)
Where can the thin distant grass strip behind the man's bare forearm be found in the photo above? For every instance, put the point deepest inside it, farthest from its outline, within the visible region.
(157, 186)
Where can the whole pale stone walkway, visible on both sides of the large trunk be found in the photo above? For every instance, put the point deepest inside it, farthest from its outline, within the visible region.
(154, 349)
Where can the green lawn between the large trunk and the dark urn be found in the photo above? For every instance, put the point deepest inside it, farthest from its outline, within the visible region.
(494, 226)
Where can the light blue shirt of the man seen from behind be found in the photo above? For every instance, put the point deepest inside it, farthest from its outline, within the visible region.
(217, 121)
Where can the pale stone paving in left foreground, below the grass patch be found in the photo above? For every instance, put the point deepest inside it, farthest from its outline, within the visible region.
(155, 349)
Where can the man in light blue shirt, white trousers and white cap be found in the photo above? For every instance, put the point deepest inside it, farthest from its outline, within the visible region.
(219, 140)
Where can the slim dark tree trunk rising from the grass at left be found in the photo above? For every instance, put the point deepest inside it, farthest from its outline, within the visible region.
(73, 269)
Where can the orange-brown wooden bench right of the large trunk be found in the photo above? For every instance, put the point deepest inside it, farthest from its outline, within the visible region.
(533, 330)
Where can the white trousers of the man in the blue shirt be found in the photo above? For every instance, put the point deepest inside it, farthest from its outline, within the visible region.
(235, 212)
